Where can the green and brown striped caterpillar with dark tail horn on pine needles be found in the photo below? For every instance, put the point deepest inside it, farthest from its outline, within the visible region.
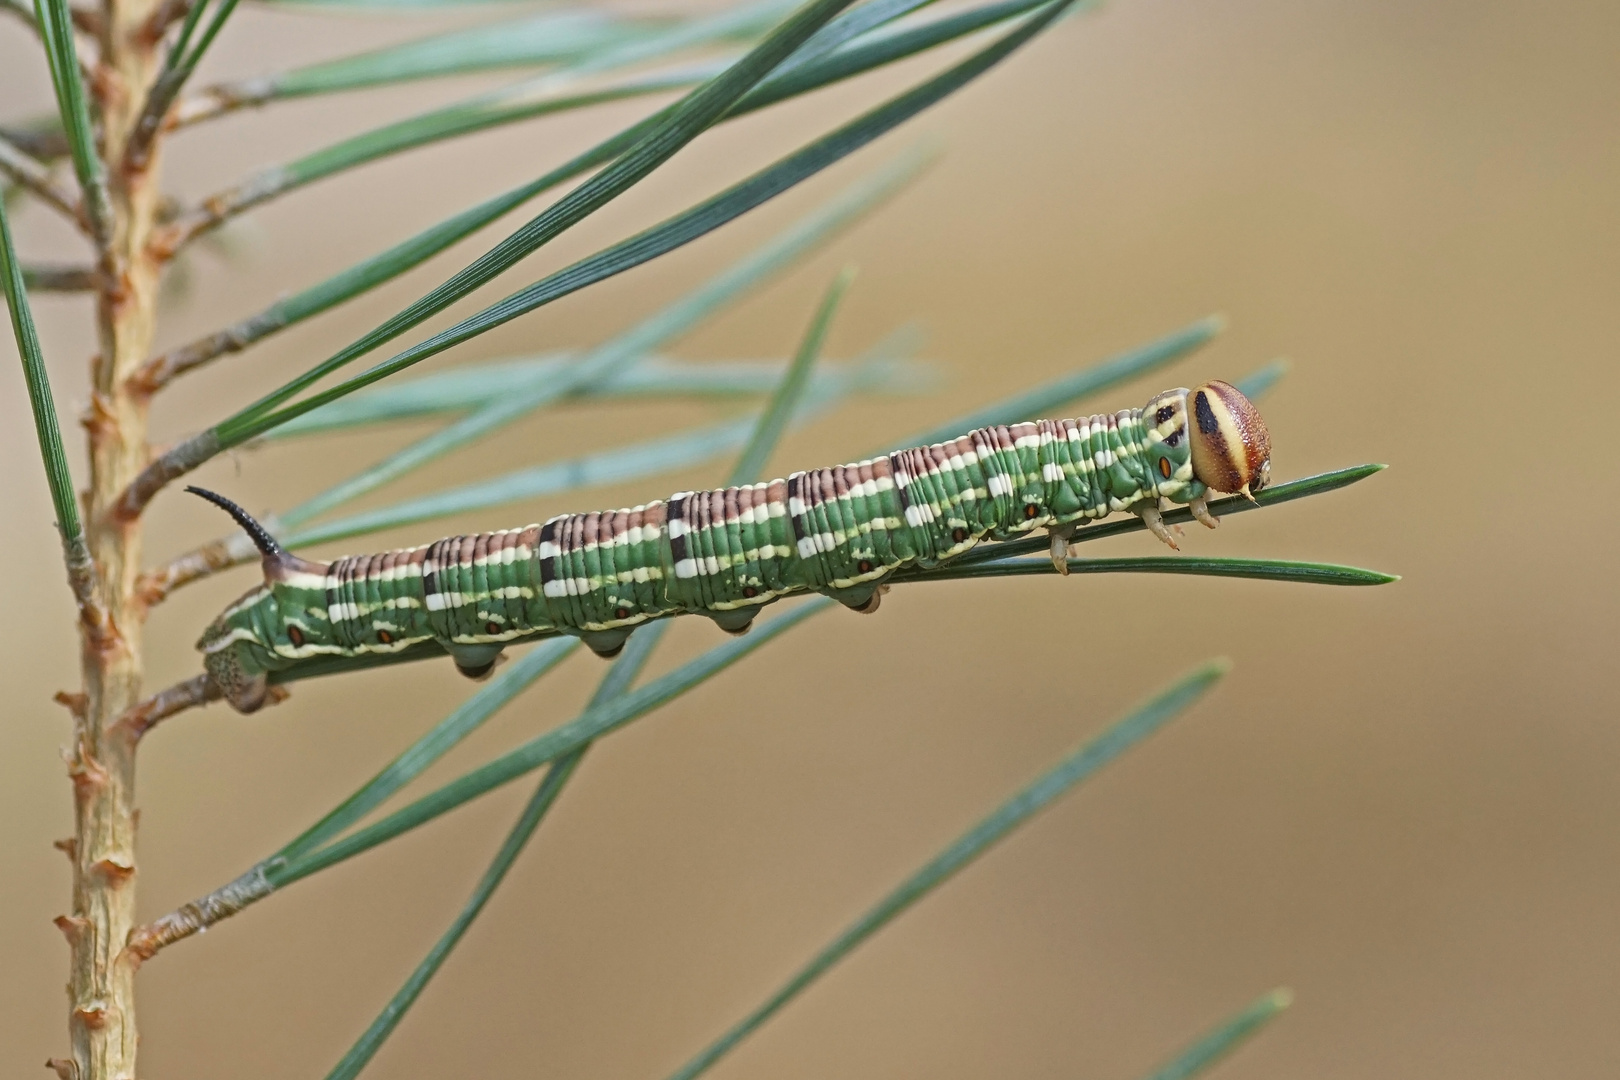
(728, 553)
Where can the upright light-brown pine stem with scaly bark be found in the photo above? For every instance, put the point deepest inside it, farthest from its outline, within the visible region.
(101, 985)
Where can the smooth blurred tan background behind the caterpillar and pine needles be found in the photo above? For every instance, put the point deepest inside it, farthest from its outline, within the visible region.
(1402, 804)
